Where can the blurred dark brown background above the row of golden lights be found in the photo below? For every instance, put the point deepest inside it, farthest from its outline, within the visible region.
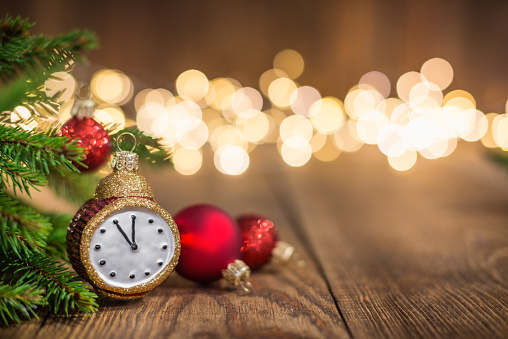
(154, 41)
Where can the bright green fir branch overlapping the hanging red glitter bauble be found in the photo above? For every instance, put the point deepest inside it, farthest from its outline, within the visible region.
(38, 151)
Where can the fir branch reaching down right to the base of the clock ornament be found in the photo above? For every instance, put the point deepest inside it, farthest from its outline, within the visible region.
(63, 291)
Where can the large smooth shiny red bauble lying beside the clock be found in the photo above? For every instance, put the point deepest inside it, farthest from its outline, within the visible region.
(210, 240)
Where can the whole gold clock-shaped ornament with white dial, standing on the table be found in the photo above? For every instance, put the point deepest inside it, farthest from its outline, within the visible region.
(122, 242)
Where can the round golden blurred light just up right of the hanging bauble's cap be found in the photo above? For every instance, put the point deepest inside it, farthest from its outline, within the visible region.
(112, 86)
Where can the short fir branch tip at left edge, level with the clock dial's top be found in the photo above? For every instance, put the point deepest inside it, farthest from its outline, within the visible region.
(22, 229)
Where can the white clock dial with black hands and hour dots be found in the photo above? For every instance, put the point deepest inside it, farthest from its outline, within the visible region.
(131, 247)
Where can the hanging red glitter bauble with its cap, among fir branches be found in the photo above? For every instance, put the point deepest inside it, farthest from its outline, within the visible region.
(88, 133)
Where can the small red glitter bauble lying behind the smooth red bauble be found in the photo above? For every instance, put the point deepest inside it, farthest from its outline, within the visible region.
(259, 237)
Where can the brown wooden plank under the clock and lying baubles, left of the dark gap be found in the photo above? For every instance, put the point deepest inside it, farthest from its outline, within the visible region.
(289, 301)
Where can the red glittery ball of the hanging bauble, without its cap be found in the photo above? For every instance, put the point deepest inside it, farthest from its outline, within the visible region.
(90, 135)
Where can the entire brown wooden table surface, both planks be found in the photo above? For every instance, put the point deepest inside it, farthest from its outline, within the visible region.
(420, 254)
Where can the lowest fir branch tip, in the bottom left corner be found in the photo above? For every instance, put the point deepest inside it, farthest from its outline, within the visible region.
(16, 300)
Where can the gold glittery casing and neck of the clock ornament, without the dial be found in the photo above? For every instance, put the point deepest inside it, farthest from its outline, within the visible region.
(121, 189)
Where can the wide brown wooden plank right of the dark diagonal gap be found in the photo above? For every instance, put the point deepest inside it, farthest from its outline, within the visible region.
(421, 254)
